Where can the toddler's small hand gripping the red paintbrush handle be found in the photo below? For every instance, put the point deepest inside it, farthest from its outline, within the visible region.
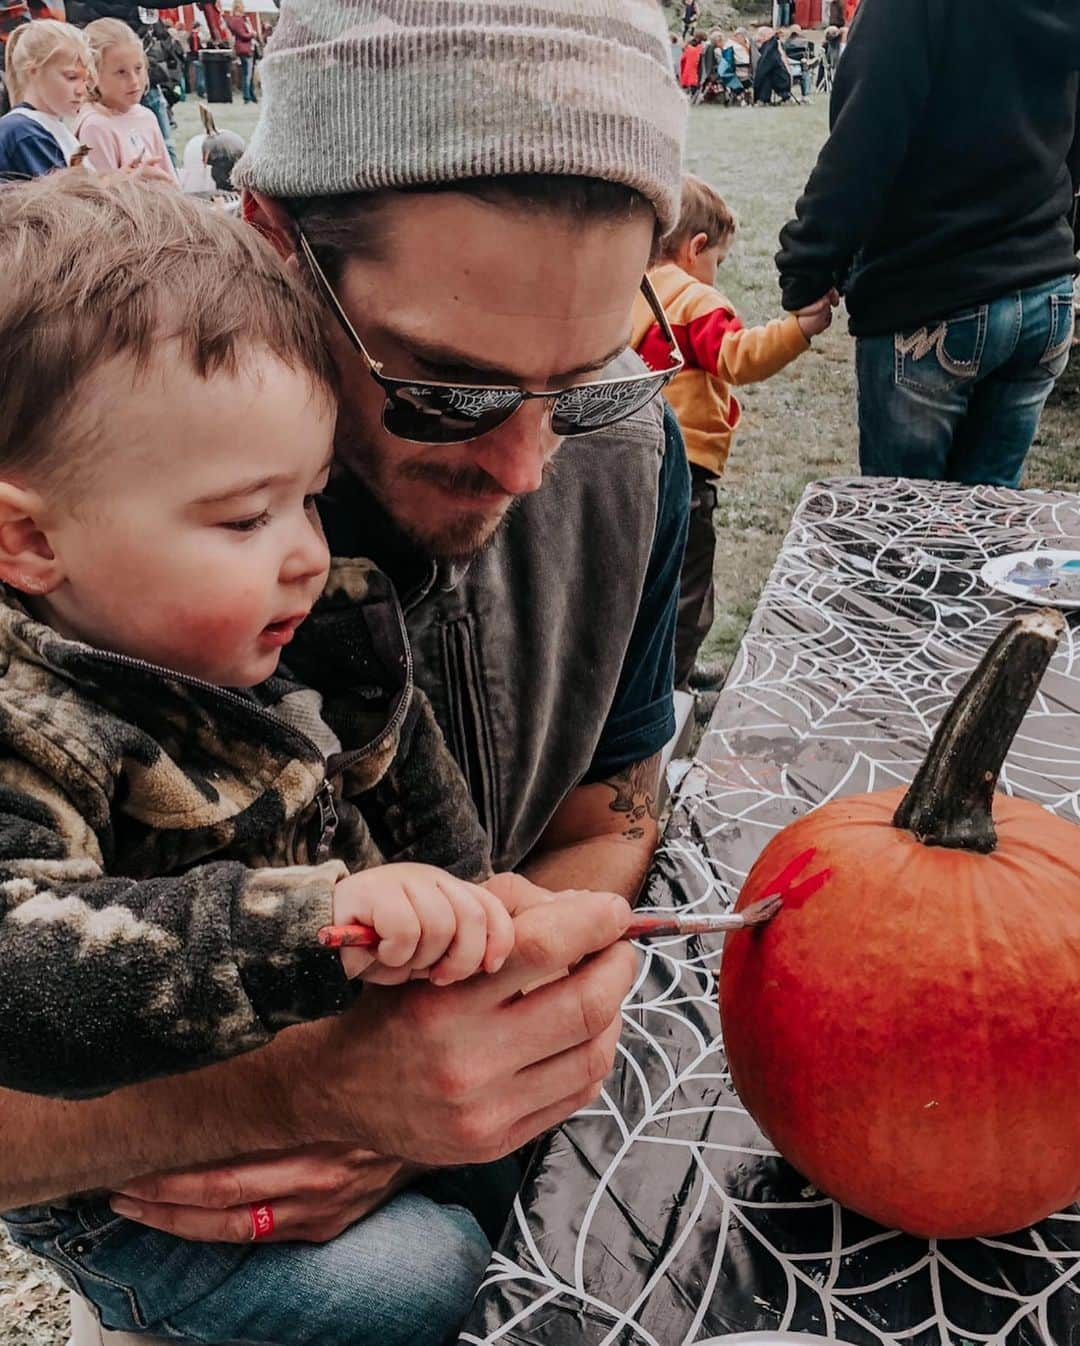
(429, 923)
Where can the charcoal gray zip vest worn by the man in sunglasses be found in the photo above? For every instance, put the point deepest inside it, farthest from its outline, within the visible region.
(522, 651)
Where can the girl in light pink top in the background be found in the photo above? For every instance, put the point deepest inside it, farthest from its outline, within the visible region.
(116, 130)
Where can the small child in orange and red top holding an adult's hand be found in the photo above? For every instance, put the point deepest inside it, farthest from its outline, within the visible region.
(718, 352)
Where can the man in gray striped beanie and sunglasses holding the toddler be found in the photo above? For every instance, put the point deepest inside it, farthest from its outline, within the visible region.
(475, 189)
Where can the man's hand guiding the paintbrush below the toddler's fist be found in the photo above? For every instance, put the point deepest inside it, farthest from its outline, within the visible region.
(468, 1073)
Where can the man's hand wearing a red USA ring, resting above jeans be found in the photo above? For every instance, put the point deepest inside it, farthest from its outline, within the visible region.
(318, 1192)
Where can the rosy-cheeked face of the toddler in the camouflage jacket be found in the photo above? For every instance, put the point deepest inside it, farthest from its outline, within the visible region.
(197, 544)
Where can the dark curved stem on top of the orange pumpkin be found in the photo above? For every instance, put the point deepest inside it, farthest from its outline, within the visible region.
(953, 798)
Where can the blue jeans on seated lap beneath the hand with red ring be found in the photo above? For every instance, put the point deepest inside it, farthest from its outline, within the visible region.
(405, 1277)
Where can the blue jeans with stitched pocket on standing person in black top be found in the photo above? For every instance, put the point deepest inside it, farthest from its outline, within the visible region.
(961, 400)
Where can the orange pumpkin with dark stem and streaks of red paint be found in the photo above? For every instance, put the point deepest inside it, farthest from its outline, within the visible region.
(907, 1032)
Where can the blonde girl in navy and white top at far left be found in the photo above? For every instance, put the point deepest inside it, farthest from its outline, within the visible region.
(48, 68)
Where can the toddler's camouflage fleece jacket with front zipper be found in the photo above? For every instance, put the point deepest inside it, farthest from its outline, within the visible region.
(169, 849)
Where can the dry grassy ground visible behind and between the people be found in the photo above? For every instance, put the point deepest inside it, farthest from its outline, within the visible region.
(797, 429)
